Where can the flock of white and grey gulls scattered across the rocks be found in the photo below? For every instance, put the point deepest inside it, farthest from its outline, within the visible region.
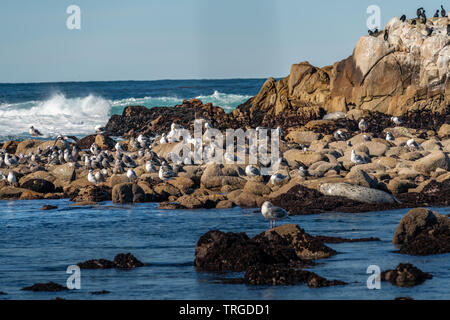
(140, 151)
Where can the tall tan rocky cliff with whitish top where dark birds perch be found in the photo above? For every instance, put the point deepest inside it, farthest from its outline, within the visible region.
(407, 72)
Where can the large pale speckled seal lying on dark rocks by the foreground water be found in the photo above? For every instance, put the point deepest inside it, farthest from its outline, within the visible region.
(357, 193)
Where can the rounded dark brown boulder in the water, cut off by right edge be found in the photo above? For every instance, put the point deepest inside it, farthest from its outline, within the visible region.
(423, 232)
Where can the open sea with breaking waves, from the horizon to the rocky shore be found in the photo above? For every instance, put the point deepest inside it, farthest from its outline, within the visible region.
(75, 108)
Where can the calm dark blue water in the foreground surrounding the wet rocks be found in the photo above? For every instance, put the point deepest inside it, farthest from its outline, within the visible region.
(38, 246)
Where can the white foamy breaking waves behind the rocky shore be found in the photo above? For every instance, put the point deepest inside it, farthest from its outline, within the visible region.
(79, 116)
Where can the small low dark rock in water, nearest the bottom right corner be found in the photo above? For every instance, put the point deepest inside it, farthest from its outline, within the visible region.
(405, 275)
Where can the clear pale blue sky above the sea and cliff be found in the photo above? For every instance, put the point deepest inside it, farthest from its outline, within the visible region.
(181, 39)
